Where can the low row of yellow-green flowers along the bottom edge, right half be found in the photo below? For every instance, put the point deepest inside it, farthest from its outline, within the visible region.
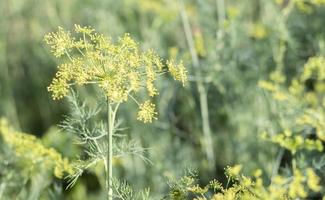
(251, 188)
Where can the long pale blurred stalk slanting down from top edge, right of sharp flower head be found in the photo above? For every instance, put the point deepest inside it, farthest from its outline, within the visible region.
(200, 87)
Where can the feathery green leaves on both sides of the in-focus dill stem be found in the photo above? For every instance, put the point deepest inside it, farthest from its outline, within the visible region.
(90, 133)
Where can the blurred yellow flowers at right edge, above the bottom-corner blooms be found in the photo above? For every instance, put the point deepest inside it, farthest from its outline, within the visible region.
(306, 95)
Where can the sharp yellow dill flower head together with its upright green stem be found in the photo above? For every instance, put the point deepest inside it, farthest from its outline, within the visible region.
(121, 70)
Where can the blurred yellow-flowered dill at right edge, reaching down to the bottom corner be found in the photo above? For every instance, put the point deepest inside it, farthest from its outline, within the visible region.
(301, 116)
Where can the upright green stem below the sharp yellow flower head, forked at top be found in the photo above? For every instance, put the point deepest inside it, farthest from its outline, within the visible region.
(111, 114)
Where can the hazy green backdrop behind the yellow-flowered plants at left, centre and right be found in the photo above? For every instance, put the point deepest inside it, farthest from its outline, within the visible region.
(215, 121)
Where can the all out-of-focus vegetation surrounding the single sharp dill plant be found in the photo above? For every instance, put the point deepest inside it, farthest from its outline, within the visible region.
(254, 97)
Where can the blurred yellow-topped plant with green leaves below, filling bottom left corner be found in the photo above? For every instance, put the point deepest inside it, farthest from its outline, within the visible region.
(28, 167)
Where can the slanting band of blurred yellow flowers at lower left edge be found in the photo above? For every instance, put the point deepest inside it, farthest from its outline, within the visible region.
(30, 149)
